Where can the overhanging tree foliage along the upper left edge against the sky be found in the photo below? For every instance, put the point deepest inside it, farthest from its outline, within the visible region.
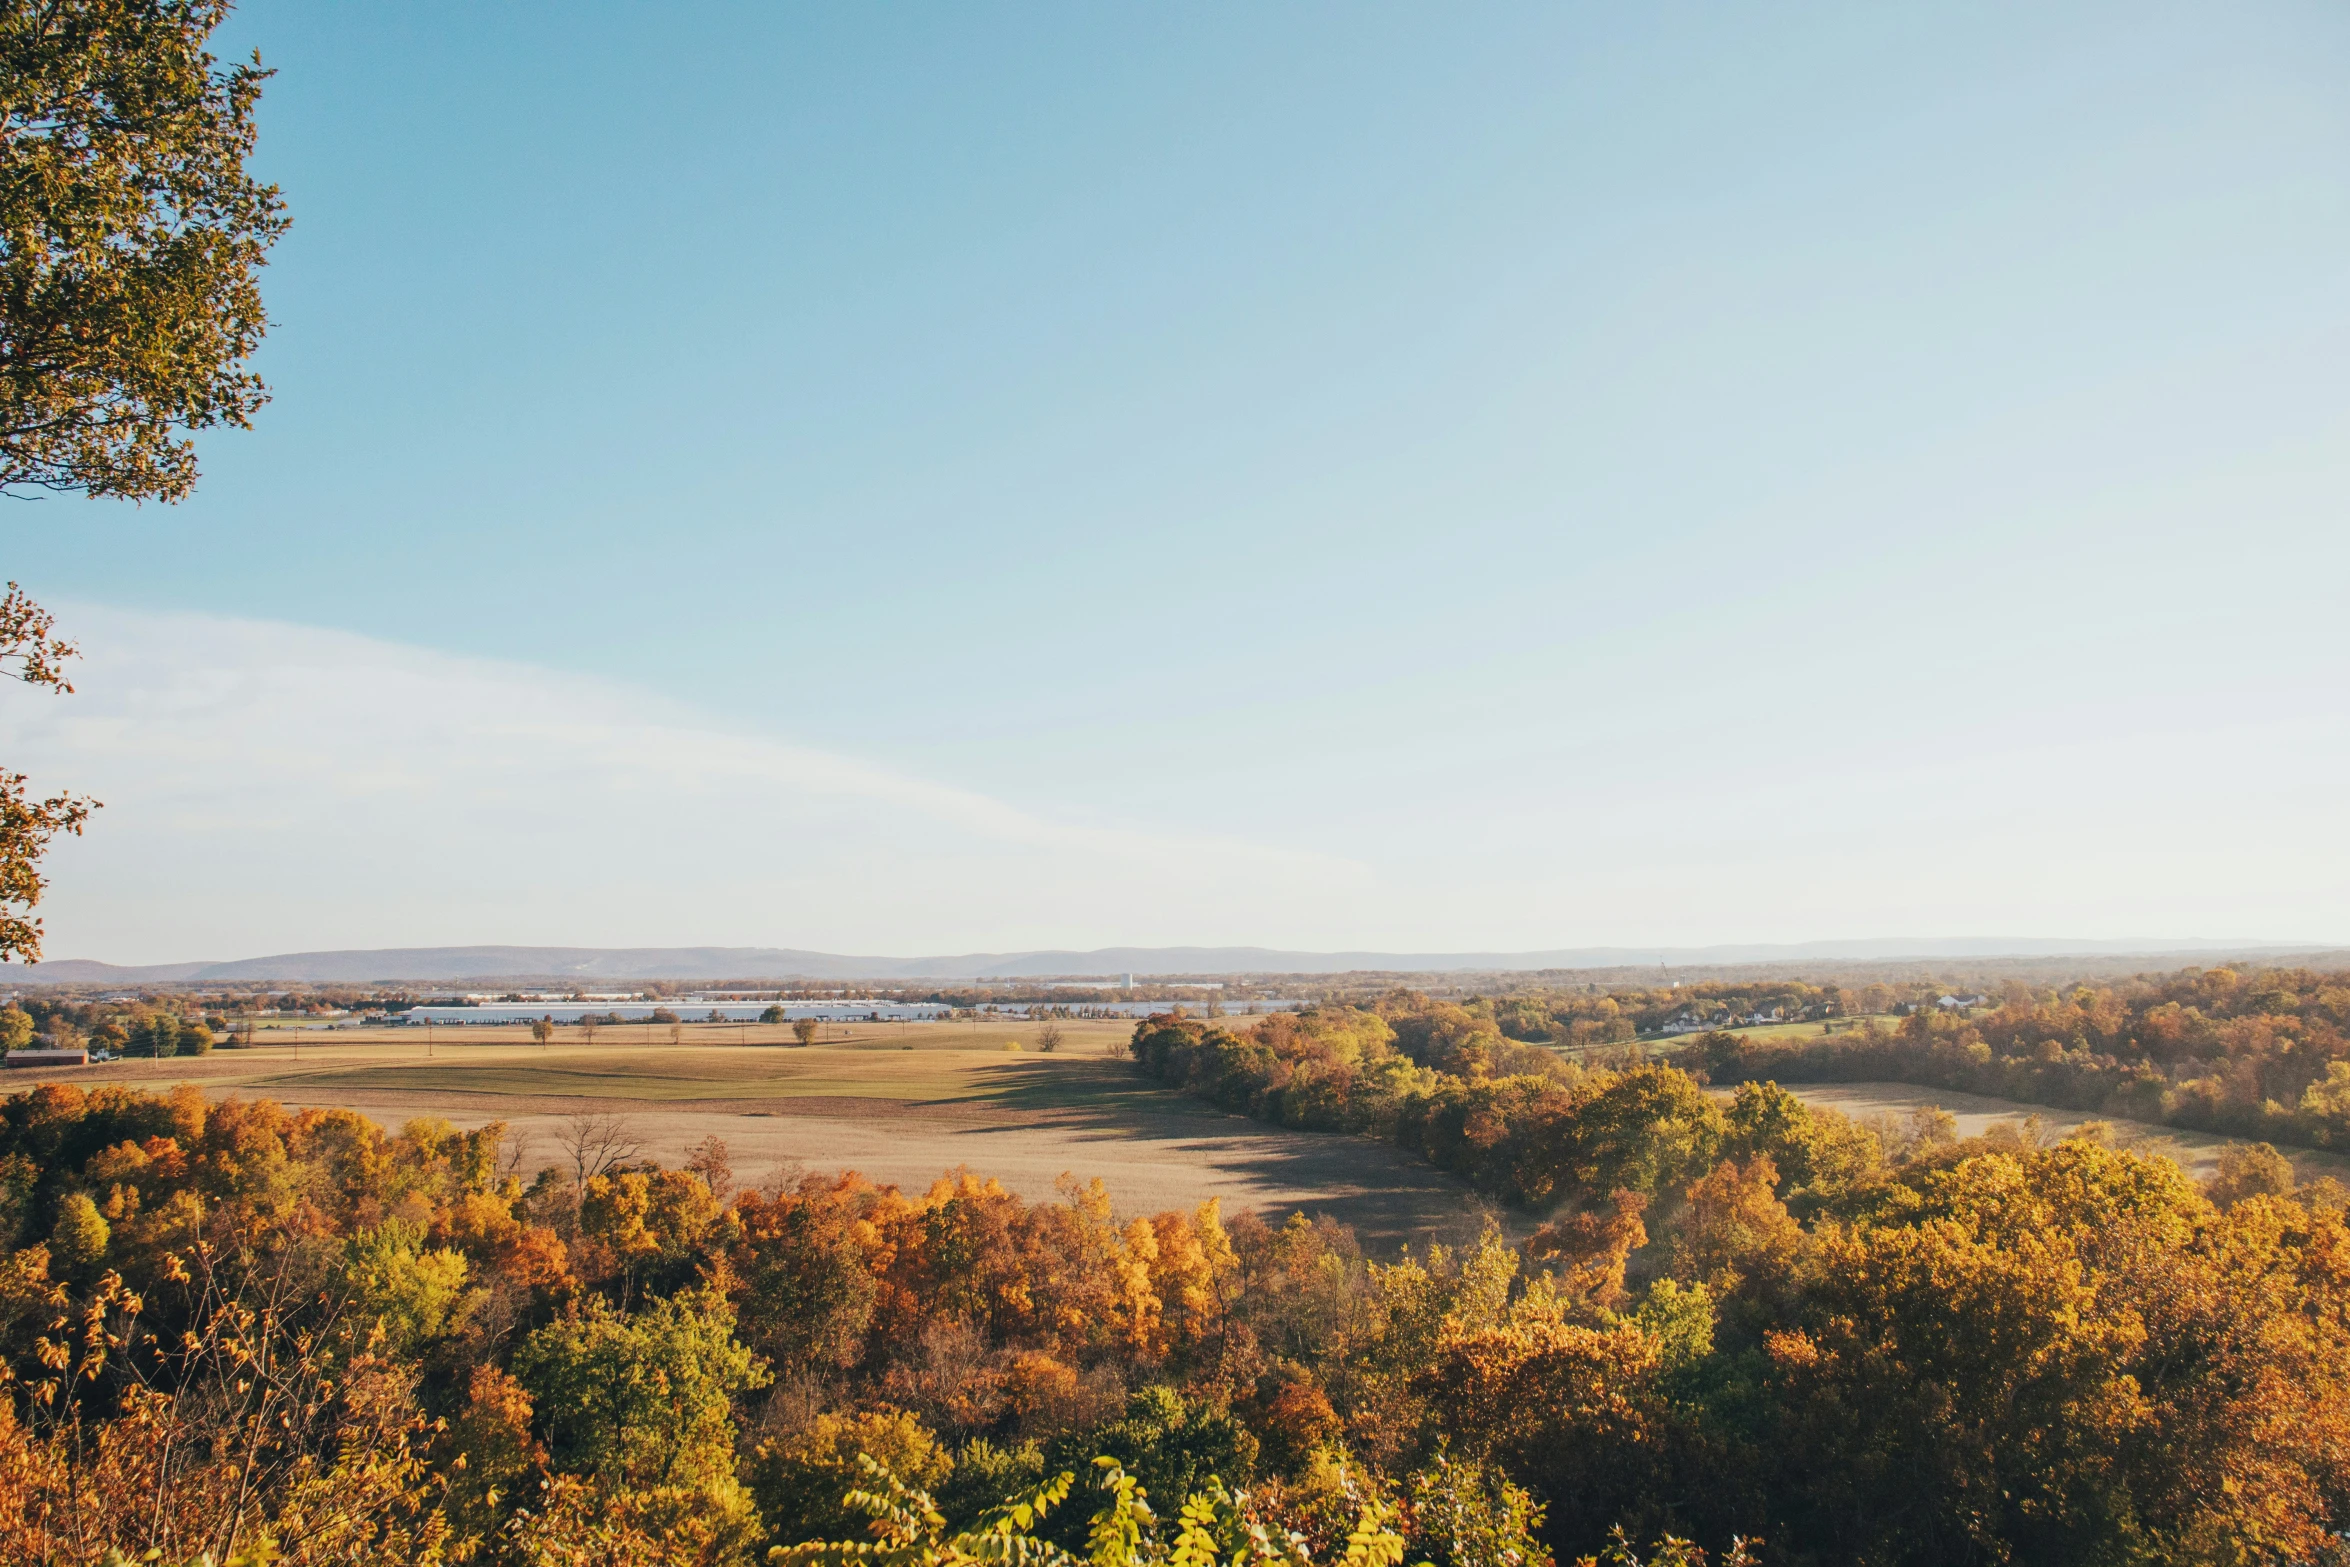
(130, 300)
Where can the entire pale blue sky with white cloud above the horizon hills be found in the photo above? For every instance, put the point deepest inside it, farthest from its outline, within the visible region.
(981, 478)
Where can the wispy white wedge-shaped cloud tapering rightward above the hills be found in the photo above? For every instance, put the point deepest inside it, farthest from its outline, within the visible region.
(274, 786)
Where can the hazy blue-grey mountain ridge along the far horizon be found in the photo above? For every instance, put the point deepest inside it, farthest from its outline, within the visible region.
(452, 964)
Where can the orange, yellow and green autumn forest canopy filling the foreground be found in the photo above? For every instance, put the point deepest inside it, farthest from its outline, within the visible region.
(1735, 1326)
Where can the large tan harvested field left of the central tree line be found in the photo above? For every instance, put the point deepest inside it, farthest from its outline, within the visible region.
(901, 1103)
